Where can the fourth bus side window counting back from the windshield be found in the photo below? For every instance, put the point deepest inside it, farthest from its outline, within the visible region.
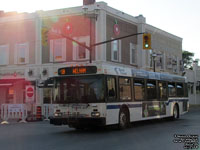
(151, 90)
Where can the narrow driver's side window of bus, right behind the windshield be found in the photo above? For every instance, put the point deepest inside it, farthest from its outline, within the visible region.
(111, 88)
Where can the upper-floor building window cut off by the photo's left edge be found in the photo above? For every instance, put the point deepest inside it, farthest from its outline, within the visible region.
(4, 54)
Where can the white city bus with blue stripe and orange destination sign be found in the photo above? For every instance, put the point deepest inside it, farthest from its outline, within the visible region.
(114, 94)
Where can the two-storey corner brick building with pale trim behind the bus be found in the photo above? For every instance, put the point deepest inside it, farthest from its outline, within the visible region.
(33, 46)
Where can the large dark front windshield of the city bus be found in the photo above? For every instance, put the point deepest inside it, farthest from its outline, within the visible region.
(80, 89)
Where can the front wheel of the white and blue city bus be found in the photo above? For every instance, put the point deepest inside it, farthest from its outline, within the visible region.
(123, 119)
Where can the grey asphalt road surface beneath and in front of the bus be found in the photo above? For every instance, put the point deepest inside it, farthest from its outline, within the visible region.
(148, 135)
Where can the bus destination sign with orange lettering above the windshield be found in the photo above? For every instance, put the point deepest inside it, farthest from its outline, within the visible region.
(77, 70)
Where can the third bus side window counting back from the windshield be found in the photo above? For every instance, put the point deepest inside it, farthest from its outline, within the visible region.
(139, 89)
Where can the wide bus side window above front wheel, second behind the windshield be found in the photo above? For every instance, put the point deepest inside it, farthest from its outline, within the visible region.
(125, 88)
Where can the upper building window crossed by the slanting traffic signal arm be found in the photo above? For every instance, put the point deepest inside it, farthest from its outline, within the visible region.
(80, 52)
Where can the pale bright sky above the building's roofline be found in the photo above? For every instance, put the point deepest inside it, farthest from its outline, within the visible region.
(178, 17)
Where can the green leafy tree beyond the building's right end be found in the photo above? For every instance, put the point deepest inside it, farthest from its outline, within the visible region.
(187, 59)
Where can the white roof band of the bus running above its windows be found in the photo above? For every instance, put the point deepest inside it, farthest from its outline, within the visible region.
(124, 70)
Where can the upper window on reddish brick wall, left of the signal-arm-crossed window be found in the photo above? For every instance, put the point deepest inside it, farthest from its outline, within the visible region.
(58, 50)
